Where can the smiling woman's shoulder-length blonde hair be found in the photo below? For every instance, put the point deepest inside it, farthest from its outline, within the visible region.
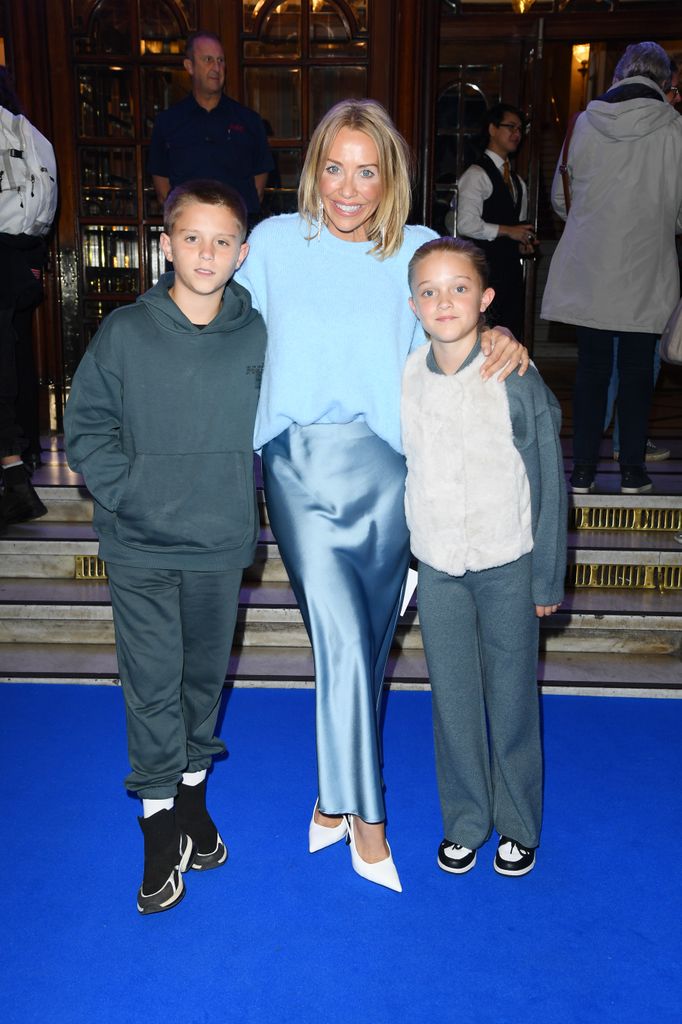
(386, 227)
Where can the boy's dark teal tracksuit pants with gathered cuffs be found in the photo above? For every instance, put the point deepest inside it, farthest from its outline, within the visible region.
(174, 637)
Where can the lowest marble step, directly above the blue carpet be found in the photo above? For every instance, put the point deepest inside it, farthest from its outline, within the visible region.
(558, 673)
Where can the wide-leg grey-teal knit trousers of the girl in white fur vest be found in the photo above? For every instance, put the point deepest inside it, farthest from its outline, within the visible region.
(481, 638)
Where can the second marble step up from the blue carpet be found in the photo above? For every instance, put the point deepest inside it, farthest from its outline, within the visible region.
(68, 612)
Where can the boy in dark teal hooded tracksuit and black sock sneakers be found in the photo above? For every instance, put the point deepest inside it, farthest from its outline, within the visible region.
(160, 423)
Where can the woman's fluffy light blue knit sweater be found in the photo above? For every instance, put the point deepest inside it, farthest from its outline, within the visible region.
(339, 328)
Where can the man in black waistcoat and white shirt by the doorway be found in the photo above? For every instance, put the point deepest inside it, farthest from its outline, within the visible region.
(492, 211)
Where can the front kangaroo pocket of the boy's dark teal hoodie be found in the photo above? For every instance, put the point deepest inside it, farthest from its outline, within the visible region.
(190, 503)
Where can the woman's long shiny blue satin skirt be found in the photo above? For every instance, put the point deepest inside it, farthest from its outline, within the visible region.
(335, 500)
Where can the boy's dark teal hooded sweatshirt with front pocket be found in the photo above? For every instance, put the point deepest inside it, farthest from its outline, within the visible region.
(160, 423)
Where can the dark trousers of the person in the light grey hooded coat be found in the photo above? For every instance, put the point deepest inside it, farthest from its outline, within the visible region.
(595, 359)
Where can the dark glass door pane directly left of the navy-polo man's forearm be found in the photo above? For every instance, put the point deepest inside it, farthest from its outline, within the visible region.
(109, 183)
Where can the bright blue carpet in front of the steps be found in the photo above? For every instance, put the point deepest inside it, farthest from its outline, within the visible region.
(592, 936)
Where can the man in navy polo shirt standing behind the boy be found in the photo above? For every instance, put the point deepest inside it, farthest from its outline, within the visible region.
(208, 135)
